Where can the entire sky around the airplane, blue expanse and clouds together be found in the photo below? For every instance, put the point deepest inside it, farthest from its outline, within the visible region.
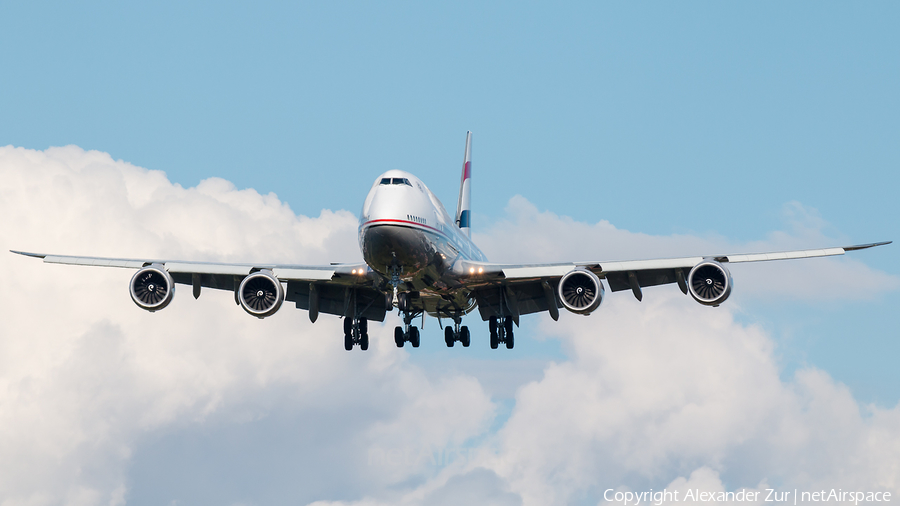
(601, 131)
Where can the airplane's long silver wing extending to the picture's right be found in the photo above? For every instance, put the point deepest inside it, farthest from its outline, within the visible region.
(516, 289)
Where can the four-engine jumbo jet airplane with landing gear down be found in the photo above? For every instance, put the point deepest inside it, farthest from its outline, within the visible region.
(420, 260)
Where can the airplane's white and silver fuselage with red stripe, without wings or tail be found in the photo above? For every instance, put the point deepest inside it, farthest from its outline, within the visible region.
(405, 229)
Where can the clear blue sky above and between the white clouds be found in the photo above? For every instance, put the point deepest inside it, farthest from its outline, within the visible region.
(728, 123)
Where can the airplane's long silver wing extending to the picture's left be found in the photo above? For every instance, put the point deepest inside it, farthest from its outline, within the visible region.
(317, 288)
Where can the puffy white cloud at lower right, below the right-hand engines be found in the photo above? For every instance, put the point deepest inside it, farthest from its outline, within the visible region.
(665, 388)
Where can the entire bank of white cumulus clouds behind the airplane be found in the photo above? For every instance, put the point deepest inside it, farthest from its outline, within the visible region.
(665, 393)
